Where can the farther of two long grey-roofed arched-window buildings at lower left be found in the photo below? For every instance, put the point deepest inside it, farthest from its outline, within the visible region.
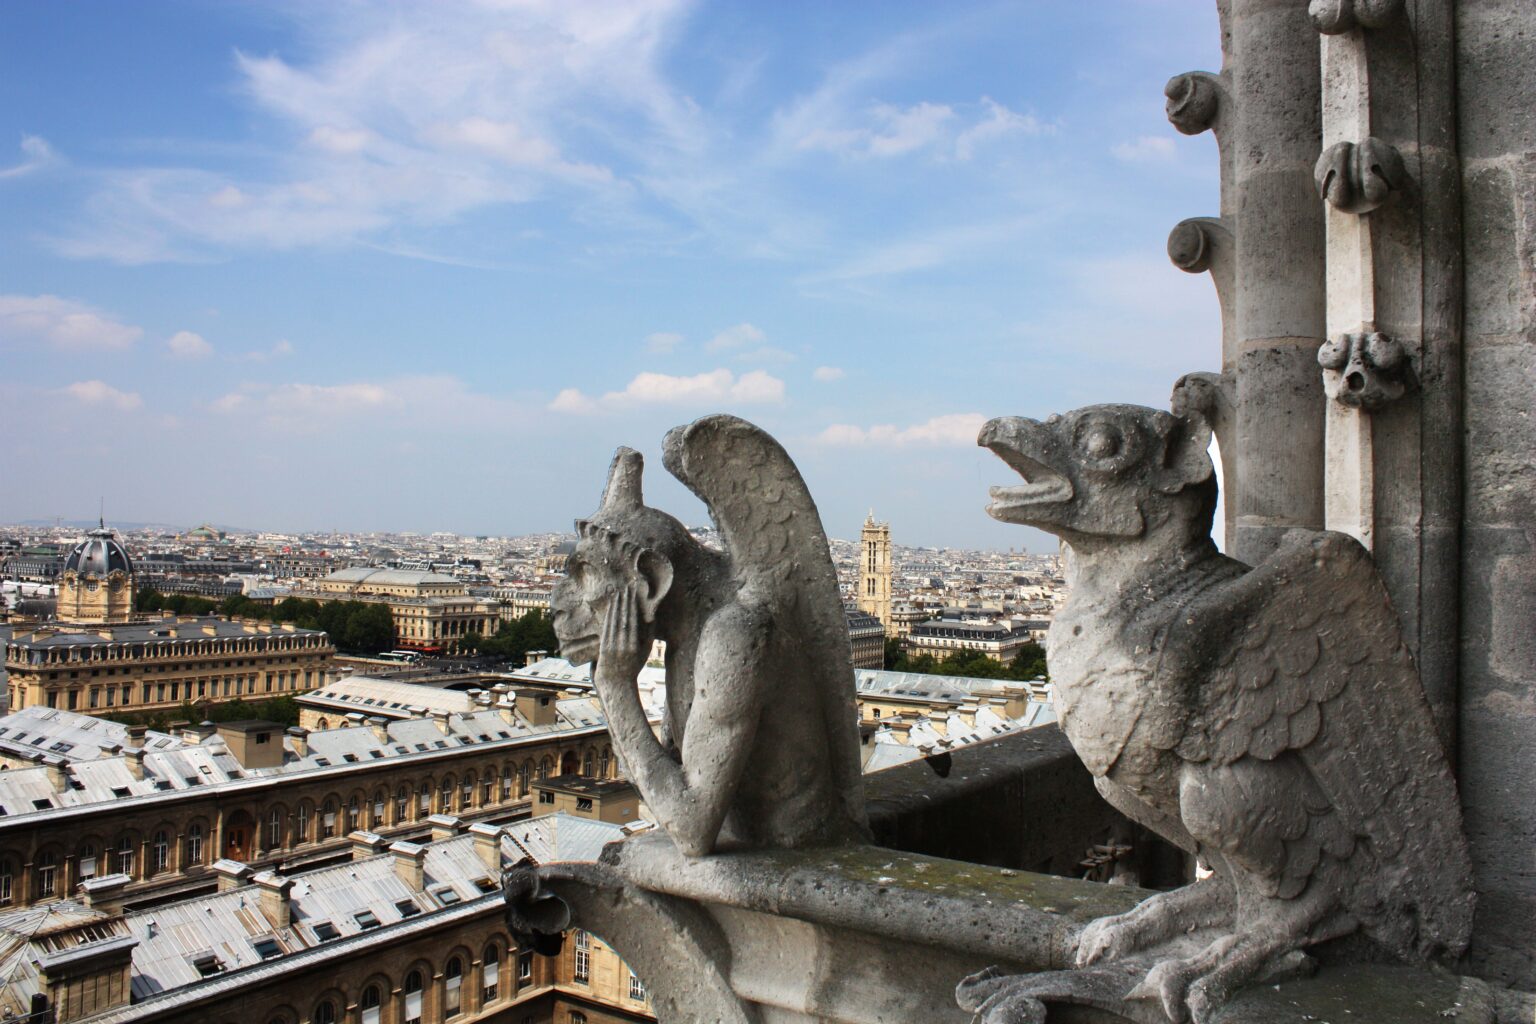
(162, 811)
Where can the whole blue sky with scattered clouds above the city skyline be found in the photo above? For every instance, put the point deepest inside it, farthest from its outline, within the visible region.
(422, 266)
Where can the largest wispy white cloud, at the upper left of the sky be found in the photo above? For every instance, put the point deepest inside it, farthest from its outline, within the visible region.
(409, 119)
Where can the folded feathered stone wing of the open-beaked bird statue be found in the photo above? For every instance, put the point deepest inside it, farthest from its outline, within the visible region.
(1306, 656)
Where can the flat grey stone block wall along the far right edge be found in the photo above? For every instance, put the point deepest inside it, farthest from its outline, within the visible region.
(1495, 47)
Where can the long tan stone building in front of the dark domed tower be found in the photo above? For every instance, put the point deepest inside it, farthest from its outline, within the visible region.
(162, 664)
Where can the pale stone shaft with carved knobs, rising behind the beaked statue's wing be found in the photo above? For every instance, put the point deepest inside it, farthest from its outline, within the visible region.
(1392, 365)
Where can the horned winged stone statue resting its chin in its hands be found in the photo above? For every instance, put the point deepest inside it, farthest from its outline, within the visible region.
(760, 744)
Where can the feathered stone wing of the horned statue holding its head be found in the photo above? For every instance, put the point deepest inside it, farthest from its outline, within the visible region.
(781, 558)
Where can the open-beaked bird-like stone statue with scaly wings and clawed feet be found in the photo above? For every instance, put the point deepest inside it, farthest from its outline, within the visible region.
(1266, 719)
